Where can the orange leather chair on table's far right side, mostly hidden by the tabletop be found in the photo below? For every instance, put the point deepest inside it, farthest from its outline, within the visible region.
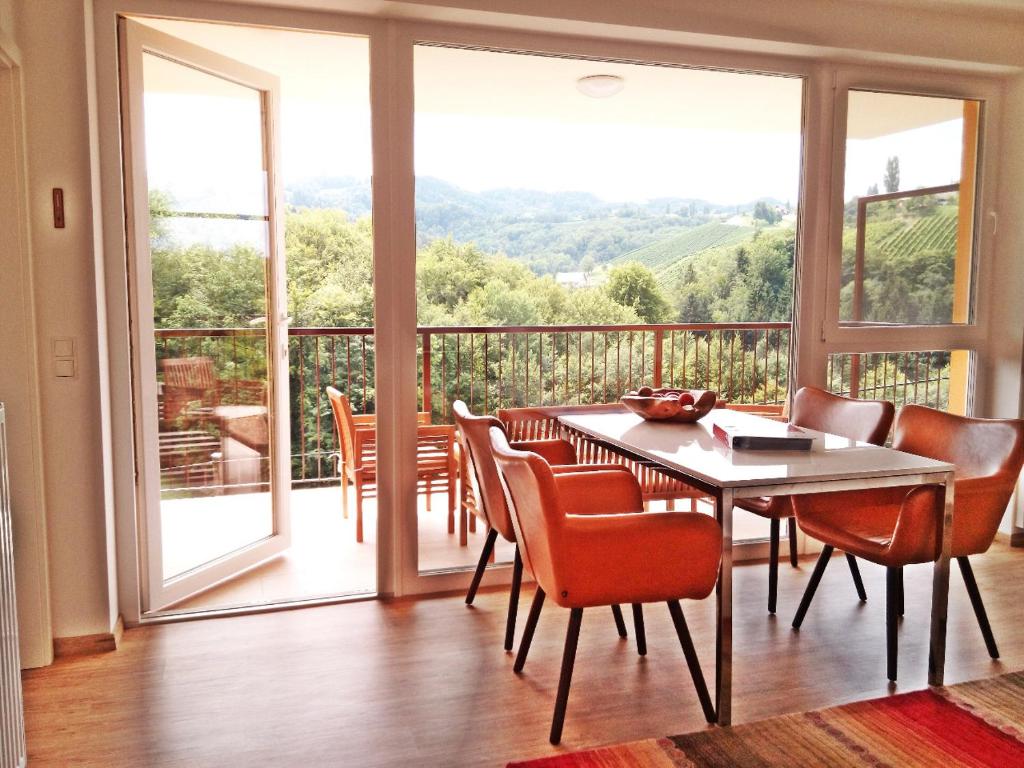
(868, 421)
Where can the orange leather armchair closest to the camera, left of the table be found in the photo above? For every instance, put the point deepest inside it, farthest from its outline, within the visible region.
(583, 557)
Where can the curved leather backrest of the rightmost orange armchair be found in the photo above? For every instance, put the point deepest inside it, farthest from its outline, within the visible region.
(988, 450)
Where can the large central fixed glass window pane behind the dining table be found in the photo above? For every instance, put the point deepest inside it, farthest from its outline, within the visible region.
(589, 228)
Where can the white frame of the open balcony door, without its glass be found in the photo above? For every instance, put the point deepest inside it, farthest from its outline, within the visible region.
(137, 40)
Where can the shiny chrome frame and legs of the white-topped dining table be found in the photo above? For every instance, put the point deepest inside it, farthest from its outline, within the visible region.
(724, 501)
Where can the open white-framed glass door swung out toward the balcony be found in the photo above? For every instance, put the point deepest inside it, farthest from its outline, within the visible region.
(209, 324)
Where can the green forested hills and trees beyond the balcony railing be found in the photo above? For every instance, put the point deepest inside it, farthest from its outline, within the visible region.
(689, 267)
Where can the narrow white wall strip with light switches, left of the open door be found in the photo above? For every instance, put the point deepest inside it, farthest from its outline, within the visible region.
(52, 37)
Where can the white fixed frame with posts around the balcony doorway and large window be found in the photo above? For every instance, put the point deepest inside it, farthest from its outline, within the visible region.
(392, 46)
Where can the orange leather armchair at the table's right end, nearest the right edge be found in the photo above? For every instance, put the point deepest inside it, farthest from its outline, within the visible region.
(902, 527)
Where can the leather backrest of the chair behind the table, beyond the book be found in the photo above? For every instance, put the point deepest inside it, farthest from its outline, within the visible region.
(868, 421)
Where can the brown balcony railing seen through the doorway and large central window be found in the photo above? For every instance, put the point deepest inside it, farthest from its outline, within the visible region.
(492, 368)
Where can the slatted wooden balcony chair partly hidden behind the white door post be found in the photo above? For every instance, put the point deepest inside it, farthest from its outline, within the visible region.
(437, 465)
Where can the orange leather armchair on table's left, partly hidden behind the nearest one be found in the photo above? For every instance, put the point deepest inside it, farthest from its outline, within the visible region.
(492, 507)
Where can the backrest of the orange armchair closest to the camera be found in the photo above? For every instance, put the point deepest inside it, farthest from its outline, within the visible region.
(537, 515)
